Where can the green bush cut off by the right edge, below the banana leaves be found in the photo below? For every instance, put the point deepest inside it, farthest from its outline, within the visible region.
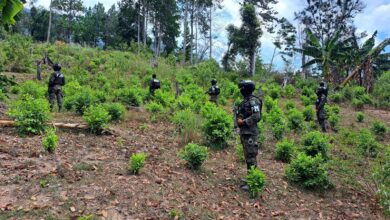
(382, 90)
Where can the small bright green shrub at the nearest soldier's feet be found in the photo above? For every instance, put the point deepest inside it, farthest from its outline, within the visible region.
(256, 181)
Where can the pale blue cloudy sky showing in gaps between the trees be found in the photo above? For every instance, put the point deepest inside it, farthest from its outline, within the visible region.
(376, 16)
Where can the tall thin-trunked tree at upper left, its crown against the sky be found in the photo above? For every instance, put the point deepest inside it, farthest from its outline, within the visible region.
(70, 9)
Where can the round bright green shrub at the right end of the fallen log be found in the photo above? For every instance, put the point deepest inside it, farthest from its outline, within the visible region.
(97, 118)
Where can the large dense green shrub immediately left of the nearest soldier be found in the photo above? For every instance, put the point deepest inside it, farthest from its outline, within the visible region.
(218, 128)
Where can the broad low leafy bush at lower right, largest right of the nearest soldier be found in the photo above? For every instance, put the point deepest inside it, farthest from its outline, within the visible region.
(310, 172)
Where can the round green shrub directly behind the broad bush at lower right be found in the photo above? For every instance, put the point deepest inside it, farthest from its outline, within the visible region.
(314, 143)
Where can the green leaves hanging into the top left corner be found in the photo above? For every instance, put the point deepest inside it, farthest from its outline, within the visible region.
(8, 10)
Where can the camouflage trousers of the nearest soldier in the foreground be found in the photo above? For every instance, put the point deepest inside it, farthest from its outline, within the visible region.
(251, 148)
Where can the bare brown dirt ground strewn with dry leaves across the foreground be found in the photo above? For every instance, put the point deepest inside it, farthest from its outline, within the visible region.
(88, 175)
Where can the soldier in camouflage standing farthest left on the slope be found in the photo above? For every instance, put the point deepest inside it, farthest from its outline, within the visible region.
(56, 81)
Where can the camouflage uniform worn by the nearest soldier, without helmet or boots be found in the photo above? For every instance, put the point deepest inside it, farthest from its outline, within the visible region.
(250, 112)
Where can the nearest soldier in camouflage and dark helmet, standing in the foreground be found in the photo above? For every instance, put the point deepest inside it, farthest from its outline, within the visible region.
(247, 116)
